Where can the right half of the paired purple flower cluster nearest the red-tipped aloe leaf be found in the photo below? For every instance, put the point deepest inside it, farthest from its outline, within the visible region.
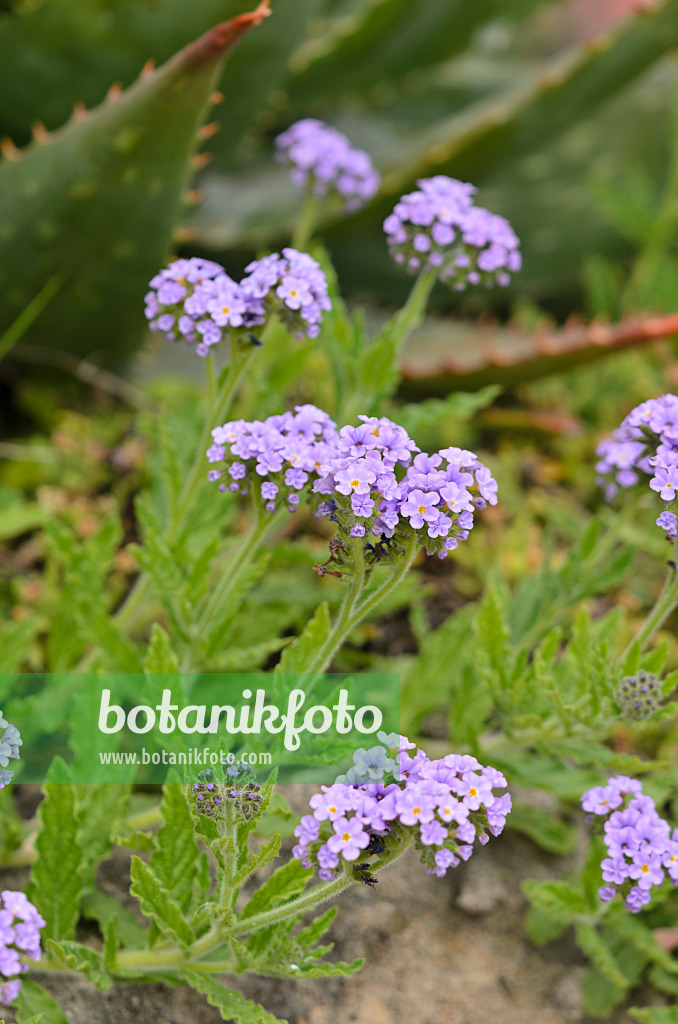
(291, 285)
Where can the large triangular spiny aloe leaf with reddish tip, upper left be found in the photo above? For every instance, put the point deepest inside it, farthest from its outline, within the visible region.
(98, 200)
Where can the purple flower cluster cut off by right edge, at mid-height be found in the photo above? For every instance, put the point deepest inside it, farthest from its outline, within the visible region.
(646, 443)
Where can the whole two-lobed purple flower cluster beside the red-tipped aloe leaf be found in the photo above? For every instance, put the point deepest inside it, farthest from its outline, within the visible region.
(197, 302)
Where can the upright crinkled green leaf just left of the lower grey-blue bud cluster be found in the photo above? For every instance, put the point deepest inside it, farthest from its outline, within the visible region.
(176, 858)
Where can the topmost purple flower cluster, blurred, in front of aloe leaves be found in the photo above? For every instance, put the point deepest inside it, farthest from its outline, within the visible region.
(324, 160)
